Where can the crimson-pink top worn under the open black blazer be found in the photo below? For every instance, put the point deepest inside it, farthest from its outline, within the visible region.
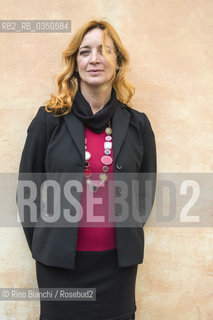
(101, 236)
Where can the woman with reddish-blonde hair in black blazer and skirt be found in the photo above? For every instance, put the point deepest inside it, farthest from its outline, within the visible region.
(90, 128)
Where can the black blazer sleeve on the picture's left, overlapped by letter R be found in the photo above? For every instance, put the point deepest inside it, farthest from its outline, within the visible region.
(32, 169)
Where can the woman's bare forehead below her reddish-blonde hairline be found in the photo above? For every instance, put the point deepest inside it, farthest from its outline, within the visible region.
(94, 38)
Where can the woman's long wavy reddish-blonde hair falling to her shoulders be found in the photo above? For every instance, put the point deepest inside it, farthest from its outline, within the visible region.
(68, 81)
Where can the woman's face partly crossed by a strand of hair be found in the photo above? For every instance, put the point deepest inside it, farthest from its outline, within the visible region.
(93, 68)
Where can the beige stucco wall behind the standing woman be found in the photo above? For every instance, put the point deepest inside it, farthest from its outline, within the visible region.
(170, 46)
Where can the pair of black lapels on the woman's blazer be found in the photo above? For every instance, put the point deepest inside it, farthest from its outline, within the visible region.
(120, 123)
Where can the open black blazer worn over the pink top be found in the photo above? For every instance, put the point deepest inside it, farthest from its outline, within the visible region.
(56, 144)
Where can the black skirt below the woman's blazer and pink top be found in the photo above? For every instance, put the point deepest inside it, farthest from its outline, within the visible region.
(115, 288)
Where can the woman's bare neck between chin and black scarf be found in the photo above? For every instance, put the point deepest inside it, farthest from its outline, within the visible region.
(97, 97)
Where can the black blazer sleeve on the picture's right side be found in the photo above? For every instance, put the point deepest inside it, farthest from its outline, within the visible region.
(148, 171)
